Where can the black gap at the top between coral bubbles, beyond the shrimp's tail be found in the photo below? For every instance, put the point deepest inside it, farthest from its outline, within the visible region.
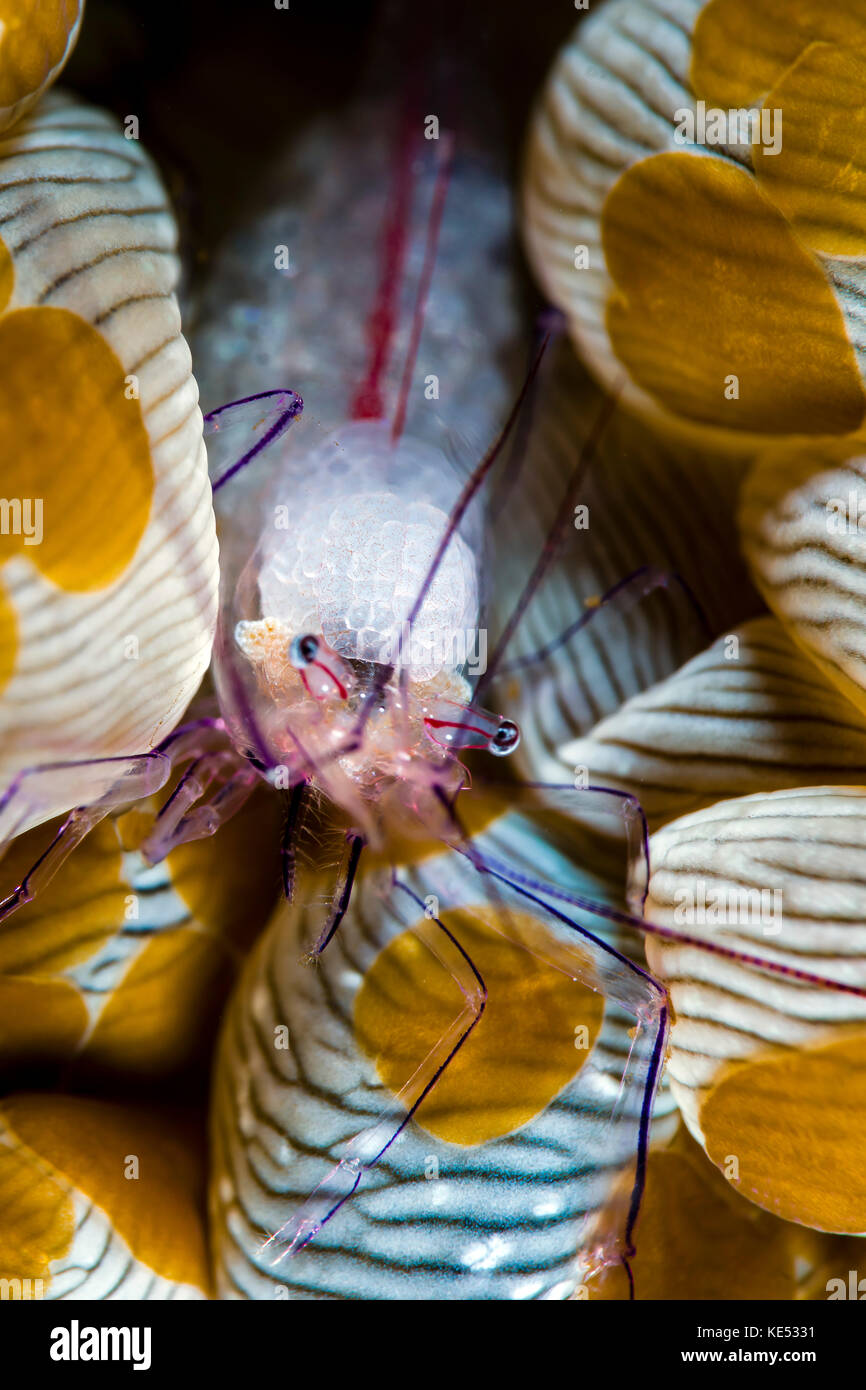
(219, 85)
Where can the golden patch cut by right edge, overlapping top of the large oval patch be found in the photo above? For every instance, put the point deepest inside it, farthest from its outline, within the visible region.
(819, 177)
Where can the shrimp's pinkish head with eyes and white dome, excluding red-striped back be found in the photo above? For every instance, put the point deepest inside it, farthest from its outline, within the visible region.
(355, 633)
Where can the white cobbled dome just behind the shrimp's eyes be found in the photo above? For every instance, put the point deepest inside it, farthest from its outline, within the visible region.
(363, 532)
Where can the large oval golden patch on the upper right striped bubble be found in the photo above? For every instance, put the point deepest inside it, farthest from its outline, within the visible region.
(711, 284)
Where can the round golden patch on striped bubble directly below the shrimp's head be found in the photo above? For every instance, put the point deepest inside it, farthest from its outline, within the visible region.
(521, 1054)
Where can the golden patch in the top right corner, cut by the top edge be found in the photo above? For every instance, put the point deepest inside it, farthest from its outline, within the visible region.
(740, 48)
